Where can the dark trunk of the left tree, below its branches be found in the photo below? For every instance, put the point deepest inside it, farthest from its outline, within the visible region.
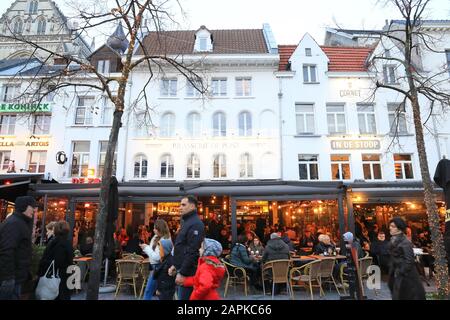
(100, 224)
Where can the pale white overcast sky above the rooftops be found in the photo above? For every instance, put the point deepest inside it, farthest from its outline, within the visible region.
(289, 19)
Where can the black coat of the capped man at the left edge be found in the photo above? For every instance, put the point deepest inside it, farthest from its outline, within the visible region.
(15, 248)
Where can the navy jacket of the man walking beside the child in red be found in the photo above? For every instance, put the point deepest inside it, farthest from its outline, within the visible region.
(188, 241)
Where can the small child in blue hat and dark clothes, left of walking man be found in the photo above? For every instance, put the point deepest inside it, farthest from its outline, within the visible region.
(165, 283)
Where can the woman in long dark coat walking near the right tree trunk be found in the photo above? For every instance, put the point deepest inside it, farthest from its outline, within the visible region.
(404, 280)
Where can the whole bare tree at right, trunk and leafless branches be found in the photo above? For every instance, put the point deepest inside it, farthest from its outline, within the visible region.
(397, 61)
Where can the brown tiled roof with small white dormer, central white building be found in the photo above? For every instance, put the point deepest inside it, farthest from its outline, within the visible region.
(238, 41)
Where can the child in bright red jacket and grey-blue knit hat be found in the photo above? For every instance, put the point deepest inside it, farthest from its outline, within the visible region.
(210, 272)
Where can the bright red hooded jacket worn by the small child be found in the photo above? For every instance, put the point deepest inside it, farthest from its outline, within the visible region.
(207, 279)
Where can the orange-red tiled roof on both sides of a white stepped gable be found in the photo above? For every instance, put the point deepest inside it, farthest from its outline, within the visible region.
(342, 59)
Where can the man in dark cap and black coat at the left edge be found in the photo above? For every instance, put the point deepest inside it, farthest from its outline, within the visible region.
(15, 248)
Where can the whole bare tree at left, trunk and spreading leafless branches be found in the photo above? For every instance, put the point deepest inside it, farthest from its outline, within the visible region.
(77, 73)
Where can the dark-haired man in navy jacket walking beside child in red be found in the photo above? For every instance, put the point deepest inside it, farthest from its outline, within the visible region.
(188, 242)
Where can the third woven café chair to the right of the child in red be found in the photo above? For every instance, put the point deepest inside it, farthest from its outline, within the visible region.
(306, 275)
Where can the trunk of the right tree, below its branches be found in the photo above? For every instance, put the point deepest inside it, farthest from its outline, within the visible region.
(439, 253)
